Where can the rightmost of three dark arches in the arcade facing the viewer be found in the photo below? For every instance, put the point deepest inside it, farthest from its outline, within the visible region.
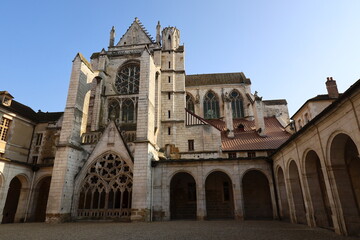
(257, 198)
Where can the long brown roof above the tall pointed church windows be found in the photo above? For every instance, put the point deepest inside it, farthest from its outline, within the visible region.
(216, 78)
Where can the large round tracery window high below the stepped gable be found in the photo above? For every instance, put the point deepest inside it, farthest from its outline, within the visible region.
(127, 79)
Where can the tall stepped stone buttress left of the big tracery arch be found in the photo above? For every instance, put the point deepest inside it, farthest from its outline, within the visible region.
(69, 152)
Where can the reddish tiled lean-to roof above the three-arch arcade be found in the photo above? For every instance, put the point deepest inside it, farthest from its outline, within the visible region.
(248, 139)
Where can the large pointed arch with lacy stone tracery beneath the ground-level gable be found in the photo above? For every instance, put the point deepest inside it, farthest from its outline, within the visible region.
(106, 189)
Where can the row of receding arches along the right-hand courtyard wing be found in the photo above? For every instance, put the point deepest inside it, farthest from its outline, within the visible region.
(321, 191)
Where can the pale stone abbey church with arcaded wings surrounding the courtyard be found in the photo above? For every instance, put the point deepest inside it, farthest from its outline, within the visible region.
(140, 140)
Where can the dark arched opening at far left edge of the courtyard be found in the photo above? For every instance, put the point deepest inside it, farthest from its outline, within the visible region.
(12, 201)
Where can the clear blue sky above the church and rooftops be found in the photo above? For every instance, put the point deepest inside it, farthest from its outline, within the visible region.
(287, 48)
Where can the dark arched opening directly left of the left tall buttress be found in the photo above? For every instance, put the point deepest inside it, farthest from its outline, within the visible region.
(41, 198)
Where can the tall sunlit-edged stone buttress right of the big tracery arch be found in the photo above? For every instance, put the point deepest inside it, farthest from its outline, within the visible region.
(141, 193)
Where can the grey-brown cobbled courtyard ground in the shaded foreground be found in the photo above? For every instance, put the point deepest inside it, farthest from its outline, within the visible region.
(224, 230)
